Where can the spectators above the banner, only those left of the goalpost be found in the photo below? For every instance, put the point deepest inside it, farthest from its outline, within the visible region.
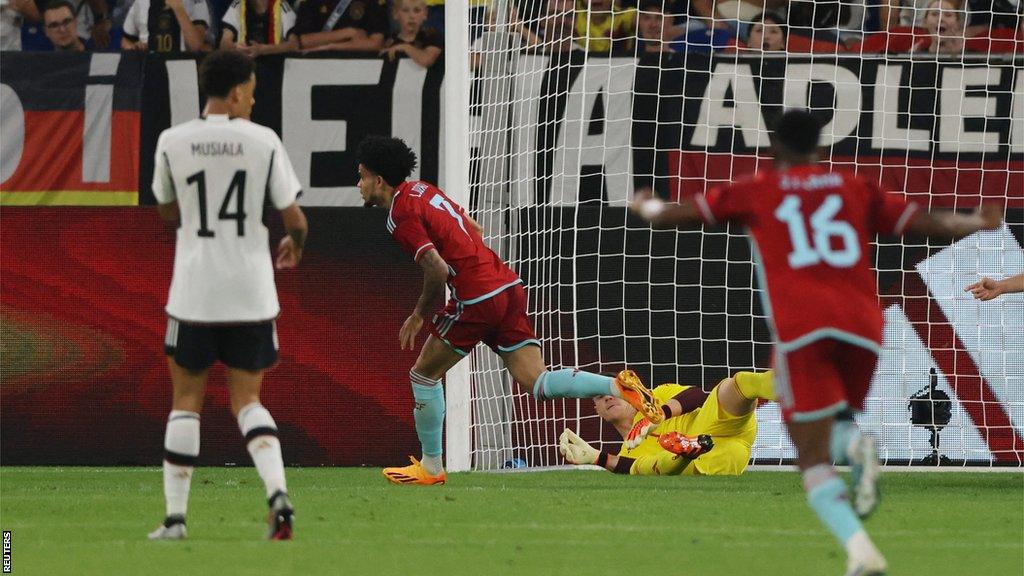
(388, 28)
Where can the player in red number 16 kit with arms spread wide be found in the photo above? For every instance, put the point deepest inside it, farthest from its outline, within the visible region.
(810, 233)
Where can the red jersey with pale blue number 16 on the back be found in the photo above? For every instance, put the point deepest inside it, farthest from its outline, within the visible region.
(810, 231)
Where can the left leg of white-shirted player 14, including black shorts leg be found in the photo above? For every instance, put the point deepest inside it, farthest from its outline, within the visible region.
(190, 355)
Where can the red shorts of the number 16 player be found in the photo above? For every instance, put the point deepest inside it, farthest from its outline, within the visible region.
(823, 379)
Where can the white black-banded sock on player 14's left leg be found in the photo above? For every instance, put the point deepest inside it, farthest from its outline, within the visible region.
(181, 457)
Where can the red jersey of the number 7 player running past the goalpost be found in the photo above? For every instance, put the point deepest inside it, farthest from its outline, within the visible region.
(423, 218)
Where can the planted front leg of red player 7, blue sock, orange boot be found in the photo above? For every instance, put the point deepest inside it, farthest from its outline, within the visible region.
(437, 358)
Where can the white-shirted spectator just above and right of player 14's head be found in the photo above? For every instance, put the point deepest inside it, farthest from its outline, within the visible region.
(259, 26)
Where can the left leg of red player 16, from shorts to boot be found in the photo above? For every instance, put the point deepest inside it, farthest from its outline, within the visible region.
(812, 393)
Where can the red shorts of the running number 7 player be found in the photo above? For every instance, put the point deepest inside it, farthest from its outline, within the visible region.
(500, 322)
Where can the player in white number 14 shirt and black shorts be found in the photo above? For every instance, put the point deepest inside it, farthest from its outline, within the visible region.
(215, 176)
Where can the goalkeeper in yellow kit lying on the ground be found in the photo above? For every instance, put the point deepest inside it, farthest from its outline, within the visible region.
(702, 434)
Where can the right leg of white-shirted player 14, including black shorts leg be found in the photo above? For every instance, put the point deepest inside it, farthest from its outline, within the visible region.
(248, 352)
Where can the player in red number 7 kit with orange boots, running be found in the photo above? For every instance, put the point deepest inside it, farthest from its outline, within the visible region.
(488, 305)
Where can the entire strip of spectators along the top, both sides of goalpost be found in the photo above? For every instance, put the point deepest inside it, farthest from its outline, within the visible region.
(415, 28)
